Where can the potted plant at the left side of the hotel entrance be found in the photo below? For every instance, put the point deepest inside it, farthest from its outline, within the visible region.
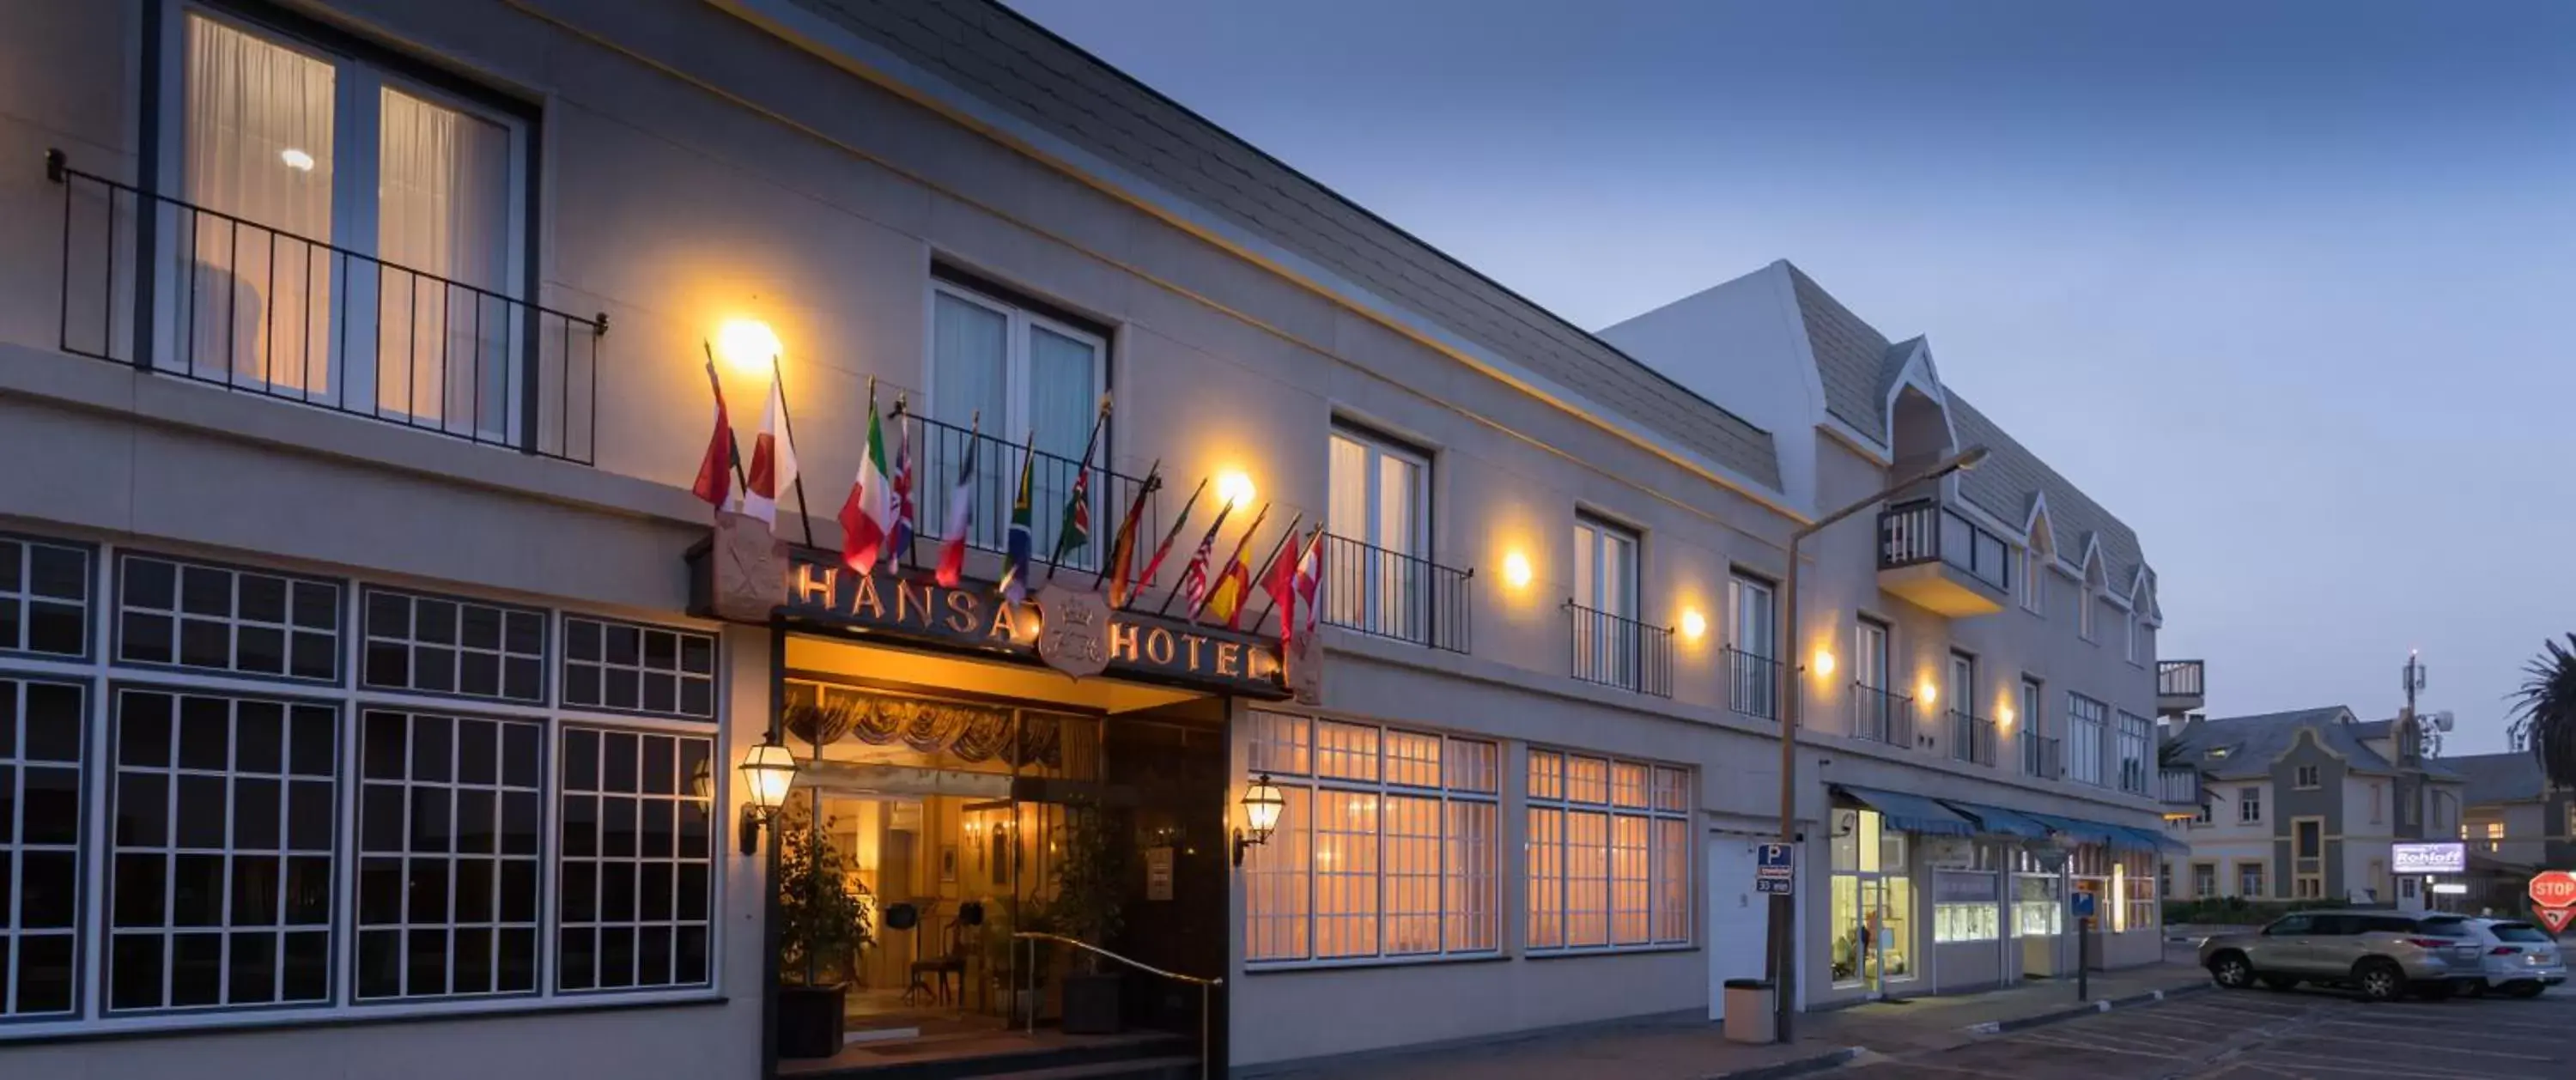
(820, 929)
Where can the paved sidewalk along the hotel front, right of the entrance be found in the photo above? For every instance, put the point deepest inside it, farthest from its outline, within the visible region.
(1825, 1040)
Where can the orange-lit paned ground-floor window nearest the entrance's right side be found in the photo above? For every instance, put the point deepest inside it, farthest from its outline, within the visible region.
(1387, 847)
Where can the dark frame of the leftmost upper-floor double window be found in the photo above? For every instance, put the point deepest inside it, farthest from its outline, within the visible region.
(359, 71)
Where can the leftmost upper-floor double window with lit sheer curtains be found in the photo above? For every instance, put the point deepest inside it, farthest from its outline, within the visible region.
(359, 238)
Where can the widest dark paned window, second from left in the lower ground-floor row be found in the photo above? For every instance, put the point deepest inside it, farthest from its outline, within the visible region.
(223, 854)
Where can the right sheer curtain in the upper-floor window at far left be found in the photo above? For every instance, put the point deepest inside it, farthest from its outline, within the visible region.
(442, 210)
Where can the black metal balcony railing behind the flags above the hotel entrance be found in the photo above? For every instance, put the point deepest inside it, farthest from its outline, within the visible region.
(939, 455)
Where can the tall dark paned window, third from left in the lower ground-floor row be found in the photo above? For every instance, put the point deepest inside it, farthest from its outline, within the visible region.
(447, 854)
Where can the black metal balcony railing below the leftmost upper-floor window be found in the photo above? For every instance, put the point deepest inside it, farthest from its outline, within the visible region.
(194, 293)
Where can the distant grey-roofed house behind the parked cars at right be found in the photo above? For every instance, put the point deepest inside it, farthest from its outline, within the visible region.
(2312, 805)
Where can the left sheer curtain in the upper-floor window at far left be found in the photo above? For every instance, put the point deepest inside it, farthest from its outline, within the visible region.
(259, 146)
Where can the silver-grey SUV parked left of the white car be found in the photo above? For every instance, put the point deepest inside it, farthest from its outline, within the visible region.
(2376, 952)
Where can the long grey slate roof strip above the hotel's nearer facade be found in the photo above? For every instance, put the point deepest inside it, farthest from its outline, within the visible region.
(1052, 84)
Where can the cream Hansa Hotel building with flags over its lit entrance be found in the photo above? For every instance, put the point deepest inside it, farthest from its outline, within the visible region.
(372, 684)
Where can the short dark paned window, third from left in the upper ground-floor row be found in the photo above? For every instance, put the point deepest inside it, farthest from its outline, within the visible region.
(468, 648)
